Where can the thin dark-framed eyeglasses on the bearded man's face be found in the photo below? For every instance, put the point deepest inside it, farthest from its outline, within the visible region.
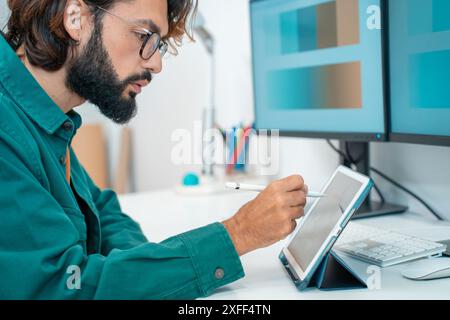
(151, 41)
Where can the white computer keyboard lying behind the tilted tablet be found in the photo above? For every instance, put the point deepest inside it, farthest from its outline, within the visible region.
(384, 248)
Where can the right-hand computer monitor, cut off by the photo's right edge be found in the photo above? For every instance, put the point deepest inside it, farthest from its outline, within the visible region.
(419, 47)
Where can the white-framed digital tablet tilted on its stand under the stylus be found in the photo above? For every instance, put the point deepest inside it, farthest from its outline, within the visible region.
(323, 223)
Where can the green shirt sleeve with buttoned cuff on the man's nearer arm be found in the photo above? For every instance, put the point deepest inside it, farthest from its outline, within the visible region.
(41, 250)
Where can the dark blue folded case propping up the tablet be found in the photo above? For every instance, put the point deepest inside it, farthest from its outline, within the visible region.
(332, 274)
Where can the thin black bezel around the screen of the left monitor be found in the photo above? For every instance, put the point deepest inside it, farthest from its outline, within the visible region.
(347, 136)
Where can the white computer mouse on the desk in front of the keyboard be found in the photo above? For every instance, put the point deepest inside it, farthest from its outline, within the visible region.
(428, 269)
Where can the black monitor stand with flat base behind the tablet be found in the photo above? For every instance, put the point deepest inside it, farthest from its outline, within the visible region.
(359, 153)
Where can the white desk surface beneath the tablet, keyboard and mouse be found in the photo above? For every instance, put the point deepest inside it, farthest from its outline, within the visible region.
(163, 214)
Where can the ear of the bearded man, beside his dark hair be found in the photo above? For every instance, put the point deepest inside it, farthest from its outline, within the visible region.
(75, 18)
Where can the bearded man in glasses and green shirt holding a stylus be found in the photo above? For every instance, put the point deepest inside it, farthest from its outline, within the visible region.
(61, 237)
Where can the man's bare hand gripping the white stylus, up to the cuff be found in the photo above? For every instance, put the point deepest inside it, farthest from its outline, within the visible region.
(270, 217)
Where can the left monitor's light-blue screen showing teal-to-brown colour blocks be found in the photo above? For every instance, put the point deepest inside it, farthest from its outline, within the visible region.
(318, 66)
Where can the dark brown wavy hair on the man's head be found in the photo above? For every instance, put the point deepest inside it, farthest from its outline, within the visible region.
(39, 25)
